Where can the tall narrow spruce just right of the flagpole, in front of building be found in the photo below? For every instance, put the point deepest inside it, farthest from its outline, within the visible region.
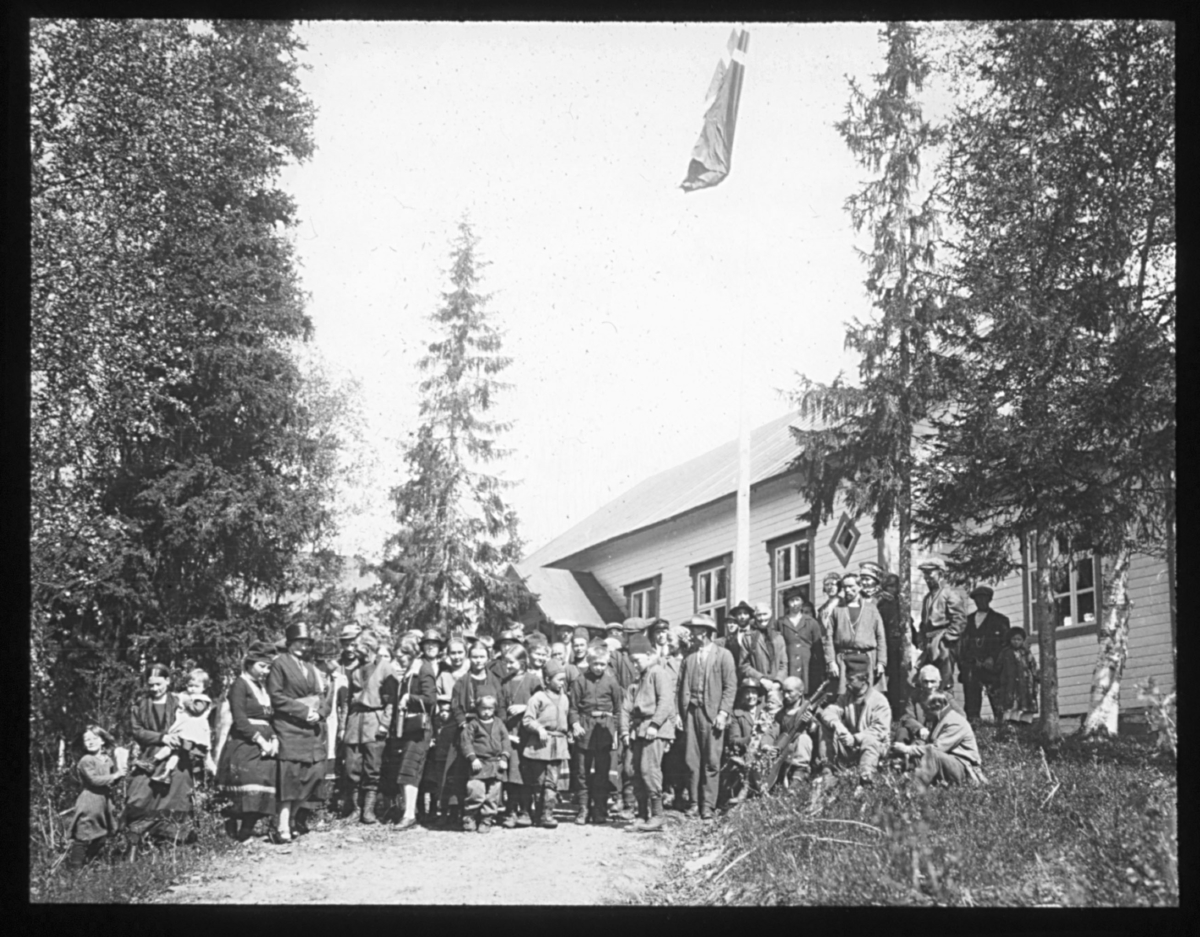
(863, 446)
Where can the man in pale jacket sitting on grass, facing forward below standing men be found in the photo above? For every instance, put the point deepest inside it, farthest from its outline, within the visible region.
(857, 729)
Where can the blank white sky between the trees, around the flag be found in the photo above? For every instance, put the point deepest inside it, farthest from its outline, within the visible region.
(623, 299)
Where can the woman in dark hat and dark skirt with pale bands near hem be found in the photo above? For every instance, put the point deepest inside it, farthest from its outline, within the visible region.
(248, 767)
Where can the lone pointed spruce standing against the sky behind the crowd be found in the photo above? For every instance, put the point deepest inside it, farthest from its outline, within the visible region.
(447, 563)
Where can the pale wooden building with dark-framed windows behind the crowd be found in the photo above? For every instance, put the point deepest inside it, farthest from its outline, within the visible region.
(665, 548)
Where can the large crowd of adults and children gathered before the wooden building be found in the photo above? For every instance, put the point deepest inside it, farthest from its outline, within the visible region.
(625, 720)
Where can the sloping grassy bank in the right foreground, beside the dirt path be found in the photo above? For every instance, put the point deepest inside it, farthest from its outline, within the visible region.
(1096, 826)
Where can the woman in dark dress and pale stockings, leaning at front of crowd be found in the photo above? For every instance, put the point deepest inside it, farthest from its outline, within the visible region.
(411, 732)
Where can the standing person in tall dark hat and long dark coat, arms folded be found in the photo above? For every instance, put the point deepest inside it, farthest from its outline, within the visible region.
(301, 710)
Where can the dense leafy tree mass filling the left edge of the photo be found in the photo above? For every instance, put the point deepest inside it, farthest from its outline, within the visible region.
(172, 459)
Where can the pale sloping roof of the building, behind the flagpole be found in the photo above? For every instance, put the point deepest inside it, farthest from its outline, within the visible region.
(677, 491)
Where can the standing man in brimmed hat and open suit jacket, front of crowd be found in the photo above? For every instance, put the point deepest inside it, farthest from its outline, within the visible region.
(706, 689)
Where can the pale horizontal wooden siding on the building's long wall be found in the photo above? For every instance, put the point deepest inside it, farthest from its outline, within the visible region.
(710, 532)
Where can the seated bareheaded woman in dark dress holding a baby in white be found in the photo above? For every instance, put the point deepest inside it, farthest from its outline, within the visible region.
(159, 810)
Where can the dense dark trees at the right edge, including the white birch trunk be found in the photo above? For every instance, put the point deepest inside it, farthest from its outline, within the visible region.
(1063, 184)
